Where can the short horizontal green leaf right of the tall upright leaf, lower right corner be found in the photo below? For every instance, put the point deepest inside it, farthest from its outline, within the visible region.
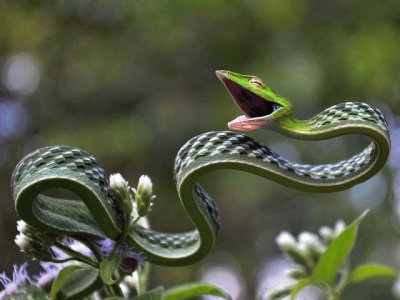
(370, 270)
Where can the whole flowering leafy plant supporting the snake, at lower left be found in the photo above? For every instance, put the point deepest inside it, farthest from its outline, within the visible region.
(78, 268)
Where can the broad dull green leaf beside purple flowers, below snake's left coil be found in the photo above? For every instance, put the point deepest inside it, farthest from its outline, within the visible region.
(75, 282)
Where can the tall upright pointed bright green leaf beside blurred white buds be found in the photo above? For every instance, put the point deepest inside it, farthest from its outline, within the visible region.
(337, 252)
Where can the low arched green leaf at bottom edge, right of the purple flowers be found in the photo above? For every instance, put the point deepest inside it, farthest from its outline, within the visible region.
(194, 289)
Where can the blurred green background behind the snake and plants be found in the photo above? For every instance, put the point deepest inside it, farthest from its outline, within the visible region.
(131, 81)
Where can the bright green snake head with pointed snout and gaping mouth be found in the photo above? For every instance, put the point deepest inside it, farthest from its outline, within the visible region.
(257, 101)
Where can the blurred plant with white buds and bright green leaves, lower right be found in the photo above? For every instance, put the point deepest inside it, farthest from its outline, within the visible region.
(323, 261)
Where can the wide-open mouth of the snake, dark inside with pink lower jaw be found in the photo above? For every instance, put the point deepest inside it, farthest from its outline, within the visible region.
(253, 106)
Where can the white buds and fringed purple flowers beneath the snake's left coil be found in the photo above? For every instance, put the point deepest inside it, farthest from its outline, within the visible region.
(56, 253)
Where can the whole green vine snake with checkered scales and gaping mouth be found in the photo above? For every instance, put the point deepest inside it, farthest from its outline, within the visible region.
(98, 216)
